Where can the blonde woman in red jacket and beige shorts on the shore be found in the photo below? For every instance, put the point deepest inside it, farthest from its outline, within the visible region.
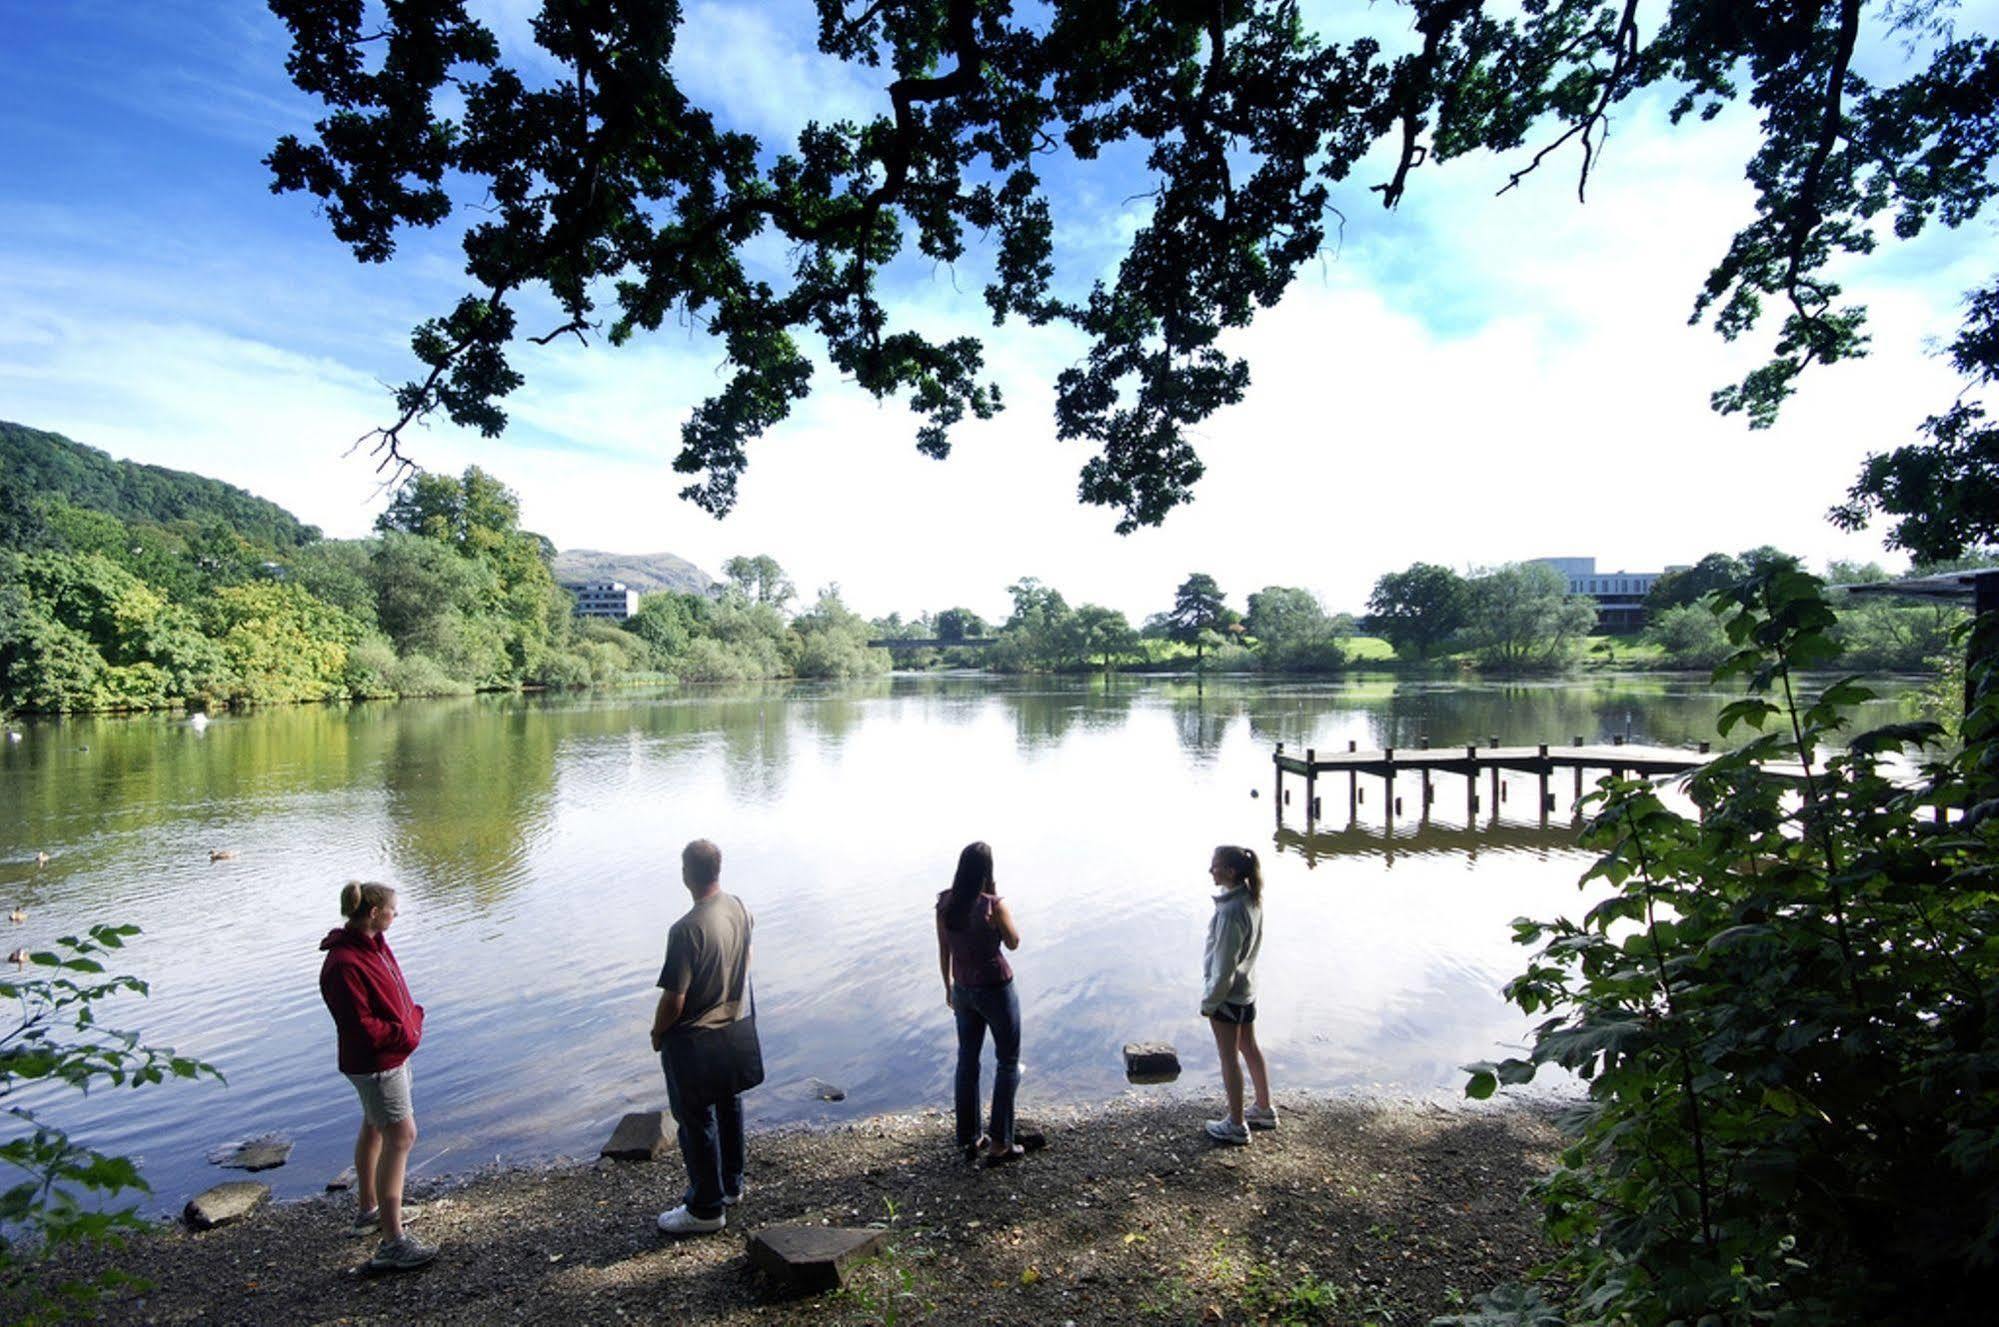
(379, 1028)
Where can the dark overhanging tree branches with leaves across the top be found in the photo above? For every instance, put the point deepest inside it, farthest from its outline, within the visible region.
(609, 191)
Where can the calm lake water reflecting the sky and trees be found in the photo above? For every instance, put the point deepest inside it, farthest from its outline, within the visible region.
(537, 848)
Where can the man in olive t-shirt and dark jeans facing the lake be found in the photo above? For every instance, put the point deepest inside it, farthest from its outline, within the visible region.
(705, 984)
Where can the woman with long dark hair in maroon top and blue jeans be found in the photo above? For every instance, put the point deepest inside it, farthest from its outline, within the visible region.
(979, 986)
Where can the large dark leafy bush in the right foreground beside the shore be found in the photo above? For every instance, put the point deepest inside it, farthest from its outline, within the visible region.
(1786, 1014)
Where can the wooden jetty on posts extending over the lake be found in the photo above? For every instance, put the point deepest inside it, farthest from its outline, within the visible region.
(1470, 762)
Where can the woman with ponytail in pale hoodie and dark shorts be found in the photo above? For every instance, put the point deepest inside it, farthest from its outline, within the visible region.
(1228, 998)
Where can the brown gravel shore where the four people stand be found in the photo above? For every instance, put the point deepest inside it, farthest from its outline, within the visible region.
(1352, 1212)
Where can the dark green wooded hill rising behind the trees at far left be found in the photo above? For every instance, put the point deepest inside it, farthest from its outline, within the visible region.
(51, 465)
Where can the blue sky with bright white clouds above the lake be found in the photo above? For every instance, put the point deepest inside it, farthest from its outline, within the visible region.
(1468, 381)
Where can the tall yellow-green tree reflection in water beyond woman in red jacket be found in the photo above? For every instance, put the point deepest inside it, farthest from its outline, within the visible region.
(471, 786)
